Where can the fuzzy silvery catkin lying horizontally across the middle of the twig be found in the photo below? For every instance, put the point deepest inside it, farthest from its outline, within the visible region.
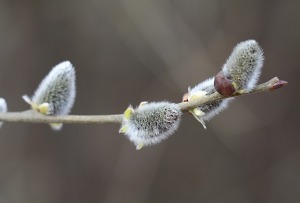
(151, 123)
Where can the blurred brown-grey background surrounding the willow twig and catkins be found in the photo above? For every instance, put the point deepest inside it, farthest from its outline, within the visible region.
(128, 51)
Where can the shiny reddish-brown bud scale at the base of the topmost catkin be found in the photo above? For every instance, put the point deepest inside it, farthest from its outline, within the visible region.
(223, 85)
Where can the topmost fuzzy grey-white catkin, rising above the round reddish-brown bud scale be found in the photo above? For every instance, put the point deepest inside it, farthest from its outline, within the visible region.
(244, 64)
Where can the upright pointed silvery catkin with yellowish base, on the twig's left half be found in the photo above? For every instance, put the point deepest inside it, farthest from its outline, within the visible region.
(57, 92)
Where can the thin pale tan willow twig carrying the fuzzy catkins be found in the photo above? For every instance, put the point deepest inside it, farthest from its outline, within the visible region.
(31, 116)
